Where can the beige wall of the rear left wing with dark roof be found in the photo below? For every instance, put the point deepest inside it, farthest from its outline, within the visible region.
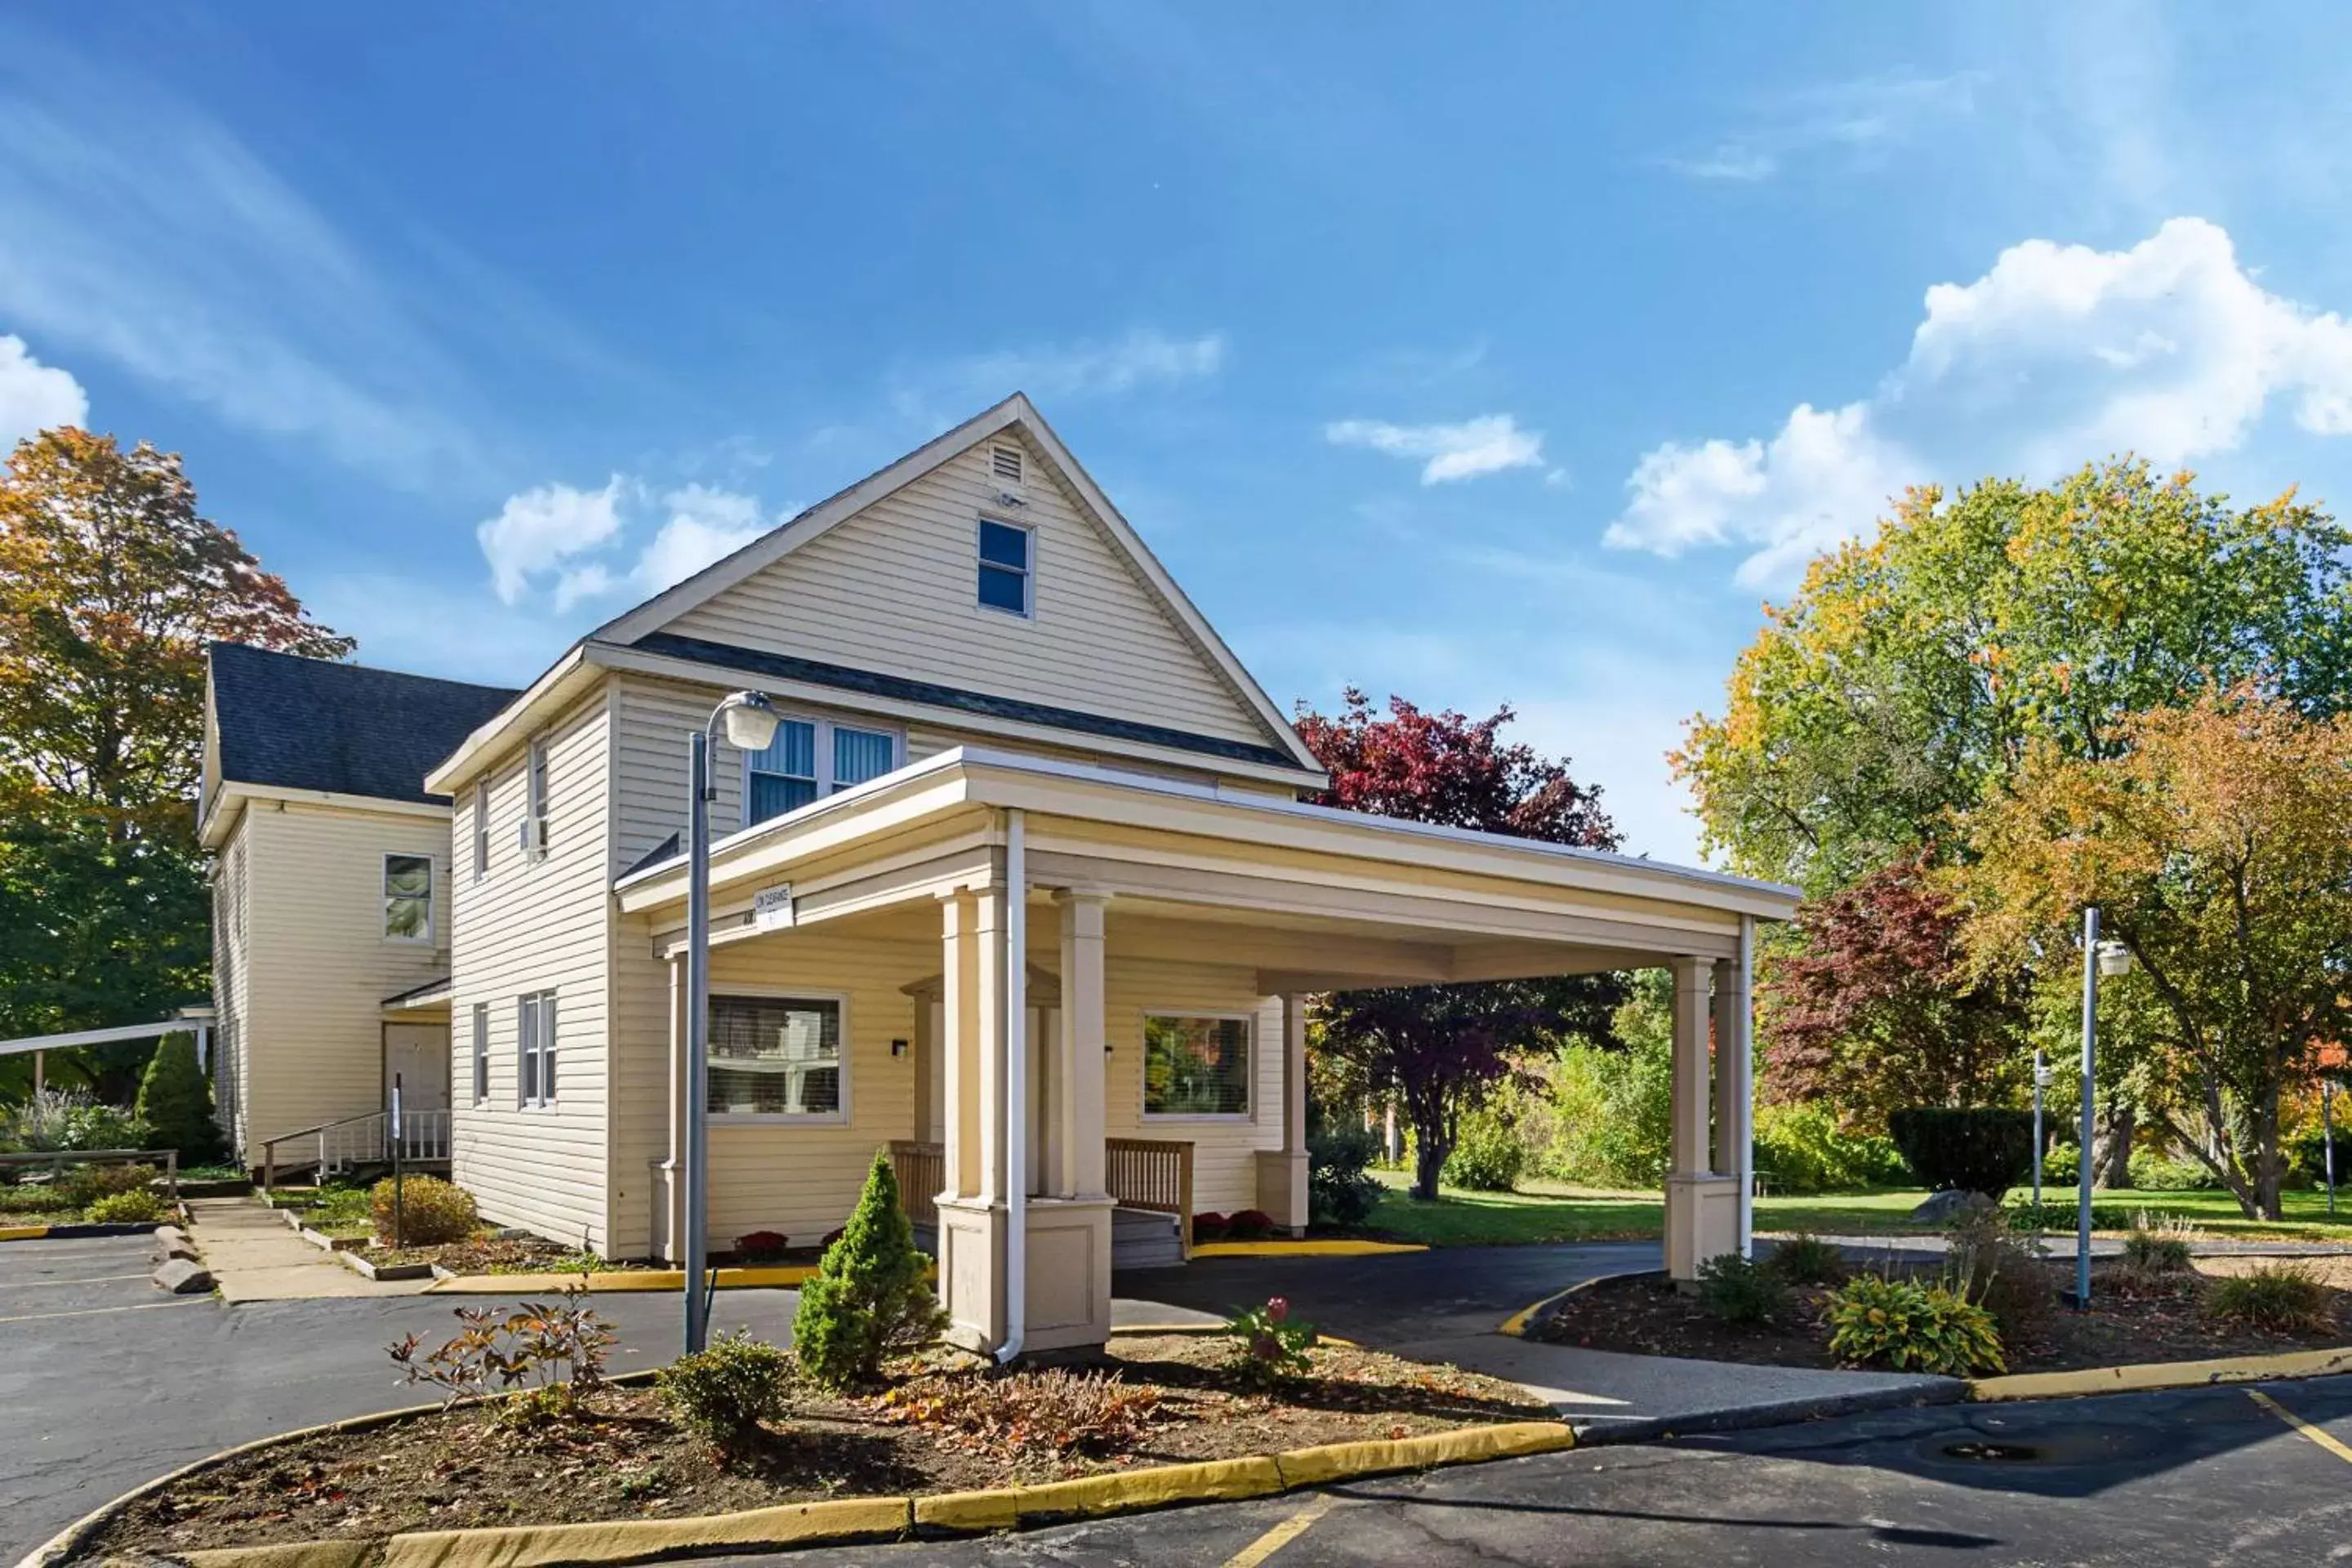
(316, 965)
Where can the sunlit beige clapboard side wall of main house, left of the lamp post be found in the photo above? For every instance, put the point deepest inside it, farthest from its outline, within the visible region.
(528, 927)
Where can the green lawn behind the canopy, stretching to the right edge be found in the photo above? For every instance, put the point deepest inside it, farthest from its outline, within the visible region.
(1556, 1212)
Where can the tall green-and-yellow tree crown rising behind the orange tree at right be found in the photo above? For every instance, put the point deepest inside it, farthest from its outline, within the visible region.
(1916, 671)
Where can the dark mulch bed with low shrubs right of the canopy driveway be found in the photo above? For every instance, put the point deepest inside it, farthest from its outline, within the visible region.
(2125, 1325)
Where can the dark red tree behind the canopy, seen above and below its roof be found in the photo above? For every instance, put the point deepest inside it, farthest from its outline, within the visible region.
(1443, 1047)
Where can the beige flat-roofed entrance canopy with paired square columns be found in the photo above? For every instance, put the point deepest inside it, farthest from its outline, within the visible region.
(1010, 859)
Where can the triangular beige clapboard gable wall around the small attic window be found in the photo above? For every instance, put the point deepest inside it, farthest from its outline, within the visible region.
(895, 591)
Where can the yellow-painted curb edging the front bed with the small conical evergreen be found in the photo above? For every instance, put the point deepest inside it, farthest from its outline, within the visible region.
(848, 1520)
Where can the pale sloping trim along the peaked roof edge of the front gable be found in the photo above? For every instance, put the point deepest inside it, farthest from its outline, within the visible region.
(650, 619)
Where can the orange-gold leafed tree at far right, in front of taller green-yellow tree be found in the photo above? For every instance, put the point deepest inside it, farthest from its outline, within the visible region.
(2217, 840)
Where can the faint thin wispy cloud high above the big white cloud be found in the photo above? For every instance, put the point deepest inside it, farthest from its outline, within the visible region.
(1857, 121)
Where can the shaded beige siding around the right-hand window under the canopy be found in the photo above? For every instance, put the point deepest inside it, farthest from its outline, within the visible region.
(1224, 1153)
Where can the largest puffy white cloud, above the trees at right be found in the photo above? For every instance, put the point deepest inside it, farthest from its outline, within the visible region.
(2057, 356)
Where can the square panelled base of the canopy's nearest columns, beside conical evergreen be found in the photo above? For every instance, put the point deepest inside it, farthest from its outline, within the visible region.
(1069, 1275)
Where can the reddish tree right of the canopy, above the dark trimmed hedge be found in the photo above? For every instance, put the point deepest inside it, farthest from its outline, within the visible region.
(1876, 1007)
